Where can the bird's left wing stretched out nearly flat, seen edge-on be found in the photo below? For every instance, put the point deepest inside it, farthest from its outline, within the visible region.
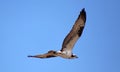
(46, 55)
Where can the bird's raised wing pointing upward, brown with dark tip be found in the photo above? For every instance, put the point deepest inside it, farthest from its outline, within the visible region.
(75, 33)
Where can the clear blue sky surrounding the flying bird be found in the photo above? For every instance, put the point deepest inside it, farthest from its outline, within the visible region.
(29, 27)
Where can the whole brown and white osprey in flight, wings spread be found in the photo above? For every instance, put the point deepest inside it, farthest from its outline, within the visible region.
(69, 41)
